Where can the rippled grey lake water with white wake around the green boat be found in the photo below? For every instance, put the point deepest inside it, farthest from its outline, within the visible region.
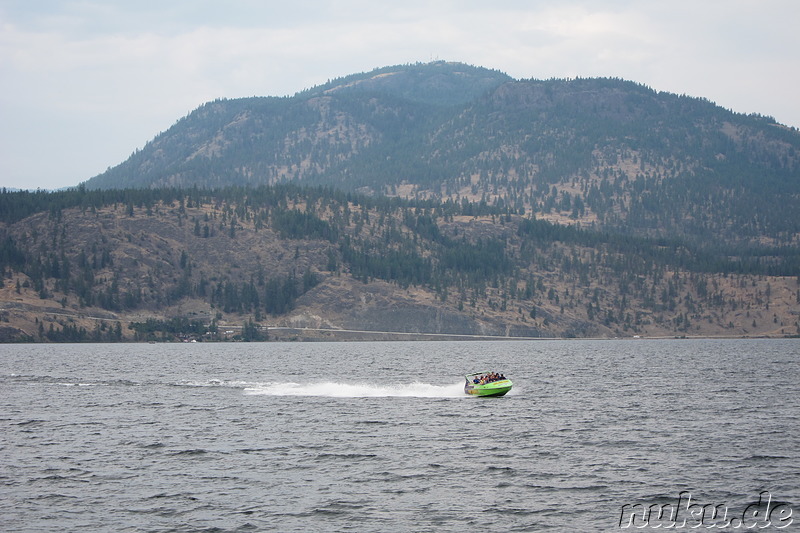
(380, 436)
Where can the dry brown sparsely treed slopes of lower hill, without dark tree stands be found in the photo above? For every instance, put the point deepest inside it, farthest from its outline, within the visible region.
(150, 256)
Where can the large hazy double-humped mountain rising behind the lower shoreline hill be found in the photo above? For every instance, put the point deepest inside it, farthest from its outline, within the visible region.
(604, 153)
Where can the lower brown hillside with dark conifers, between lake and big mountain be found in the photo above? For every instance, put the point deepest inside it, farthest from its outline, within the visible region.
(169, 263)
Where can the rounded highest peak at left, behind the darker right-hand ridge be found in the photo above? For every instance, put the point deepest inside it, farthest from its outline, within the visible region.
(310, 137)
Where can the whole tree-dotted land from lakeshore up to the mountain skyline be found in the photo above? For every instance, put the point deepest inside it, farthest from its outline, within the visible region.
(441, 198)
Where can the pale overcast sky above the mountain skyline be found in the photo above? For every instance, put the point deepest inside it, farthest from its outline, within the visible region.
(84, 83)
